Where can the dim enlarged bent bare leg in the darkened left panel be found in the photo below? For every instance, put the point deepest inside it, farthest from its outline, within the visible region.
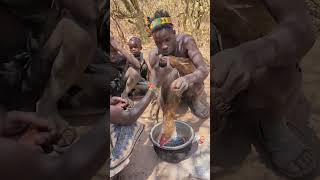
(75, 50)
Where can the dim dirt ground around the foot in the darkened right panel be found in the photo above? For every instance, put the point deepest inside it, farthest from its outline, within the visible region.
(240, 159)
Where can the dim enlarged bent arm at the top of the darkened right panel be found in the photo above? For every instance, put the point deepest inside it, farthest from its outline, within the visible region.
(289, 41)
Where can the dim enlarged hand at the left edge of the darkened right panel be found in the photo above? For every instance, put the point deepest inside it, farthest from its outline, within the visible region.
(232, 70)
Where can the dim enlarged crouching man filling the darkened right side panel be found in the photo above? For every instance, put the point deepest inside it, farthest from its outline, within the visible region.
(258, 73)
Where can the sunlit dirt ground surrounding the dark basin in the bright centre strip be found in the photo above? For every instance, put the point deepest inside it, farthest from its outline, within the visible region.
(145, 165)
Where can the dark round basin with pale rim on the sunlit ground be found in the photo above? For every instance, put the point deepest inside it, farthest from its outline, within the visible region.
(173, 154)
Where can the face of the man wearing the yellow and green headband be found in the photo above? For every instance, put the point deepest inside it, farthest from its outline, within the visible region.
(165, 39)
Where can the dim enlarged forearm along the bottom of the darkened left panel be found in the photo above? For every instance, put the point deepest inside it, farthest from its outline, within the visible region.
(81, 162)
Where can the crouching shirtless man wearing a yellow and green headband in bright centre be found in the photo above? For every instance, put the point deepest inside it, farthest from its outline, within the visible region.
(190, 87)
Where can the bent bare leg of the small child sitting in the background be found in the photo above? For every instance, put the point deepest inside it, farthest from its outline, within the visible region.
(132, 77)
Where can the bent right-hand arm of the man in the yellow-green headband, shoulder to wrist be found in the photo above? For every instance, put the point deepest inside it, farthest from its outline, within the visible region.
(195, 55)
